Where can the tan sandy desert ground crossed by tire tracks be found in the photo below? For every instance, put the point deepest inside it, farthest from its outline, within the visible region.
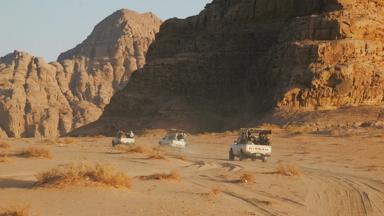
(339, 175)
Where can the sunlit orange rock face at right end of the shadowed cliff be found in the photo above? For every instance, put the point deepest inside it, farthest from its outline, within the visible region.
(345, 69)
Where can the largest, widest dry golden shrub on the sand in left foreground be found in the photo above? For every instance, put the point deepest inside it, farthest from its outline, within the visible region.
(83, 174)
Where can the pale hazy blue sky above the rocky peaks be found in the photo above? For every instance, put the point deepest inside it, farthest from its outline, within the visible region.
(45, 28)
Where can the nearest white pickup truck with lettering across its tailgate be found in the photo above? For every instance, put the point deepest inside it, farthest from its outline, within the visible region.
(252, 143)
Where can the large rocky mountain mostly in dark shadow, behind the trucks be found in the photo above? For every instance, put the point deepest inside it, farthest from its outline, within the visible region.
(240, 59)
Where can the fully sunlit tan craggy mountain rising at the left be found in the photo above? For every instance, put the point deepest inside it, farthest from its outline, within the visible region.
(51, 99)
